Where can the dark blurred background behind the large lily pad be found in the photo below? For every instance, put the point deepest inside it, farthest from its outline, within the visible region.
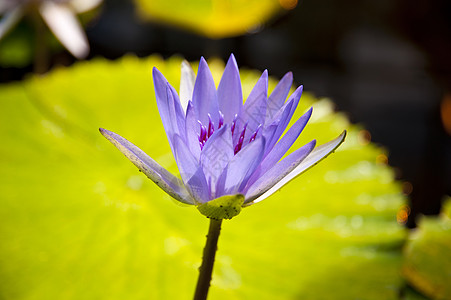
(386, 63)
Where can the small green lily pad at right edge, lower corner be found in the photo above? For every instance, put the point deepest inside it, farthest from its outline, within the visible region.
(427, 264)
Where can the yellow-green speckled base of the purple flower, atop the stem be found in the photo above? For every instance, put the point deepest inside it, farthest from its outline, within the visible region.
(225, 207)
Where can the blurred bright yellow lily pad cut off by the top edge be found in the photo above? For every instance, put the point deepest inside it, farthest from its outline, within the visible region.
(212, 18)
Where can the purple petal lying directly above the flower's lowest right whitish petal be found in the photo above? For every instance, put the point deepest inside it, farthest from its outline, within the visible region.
(278, 172)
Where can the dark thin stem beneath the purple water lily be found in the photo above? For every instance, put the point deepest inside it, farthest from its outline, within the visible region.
(208, 260)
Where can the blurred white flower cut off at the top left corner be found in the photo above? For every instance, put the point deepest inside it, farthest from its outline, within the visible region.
(59, 16)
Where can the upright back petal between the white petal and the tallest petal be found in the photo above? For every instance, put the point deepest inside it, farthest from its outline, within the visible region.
(204, 95)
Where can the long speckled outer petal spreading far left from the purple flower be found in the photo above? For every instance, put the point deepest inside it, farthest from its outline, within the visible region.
(165, 180)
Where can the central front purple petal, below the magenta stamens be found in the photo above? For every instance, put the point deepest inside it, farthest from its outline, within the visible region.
(216, 154)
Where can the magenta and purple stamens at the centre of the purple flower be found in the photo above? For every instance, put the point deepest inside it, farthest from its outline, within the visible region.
(207, 131)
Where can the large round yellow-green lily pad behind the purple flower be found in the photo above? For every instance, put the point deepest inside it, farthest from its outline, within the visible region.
(78, 221)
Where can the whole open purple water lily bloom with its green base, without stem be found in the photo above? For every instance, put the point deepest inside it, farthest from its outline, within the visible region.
(229, 154)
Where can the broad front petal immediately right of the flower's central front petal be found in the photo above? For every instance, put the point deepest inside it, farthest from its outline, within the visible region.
(235, 176)
